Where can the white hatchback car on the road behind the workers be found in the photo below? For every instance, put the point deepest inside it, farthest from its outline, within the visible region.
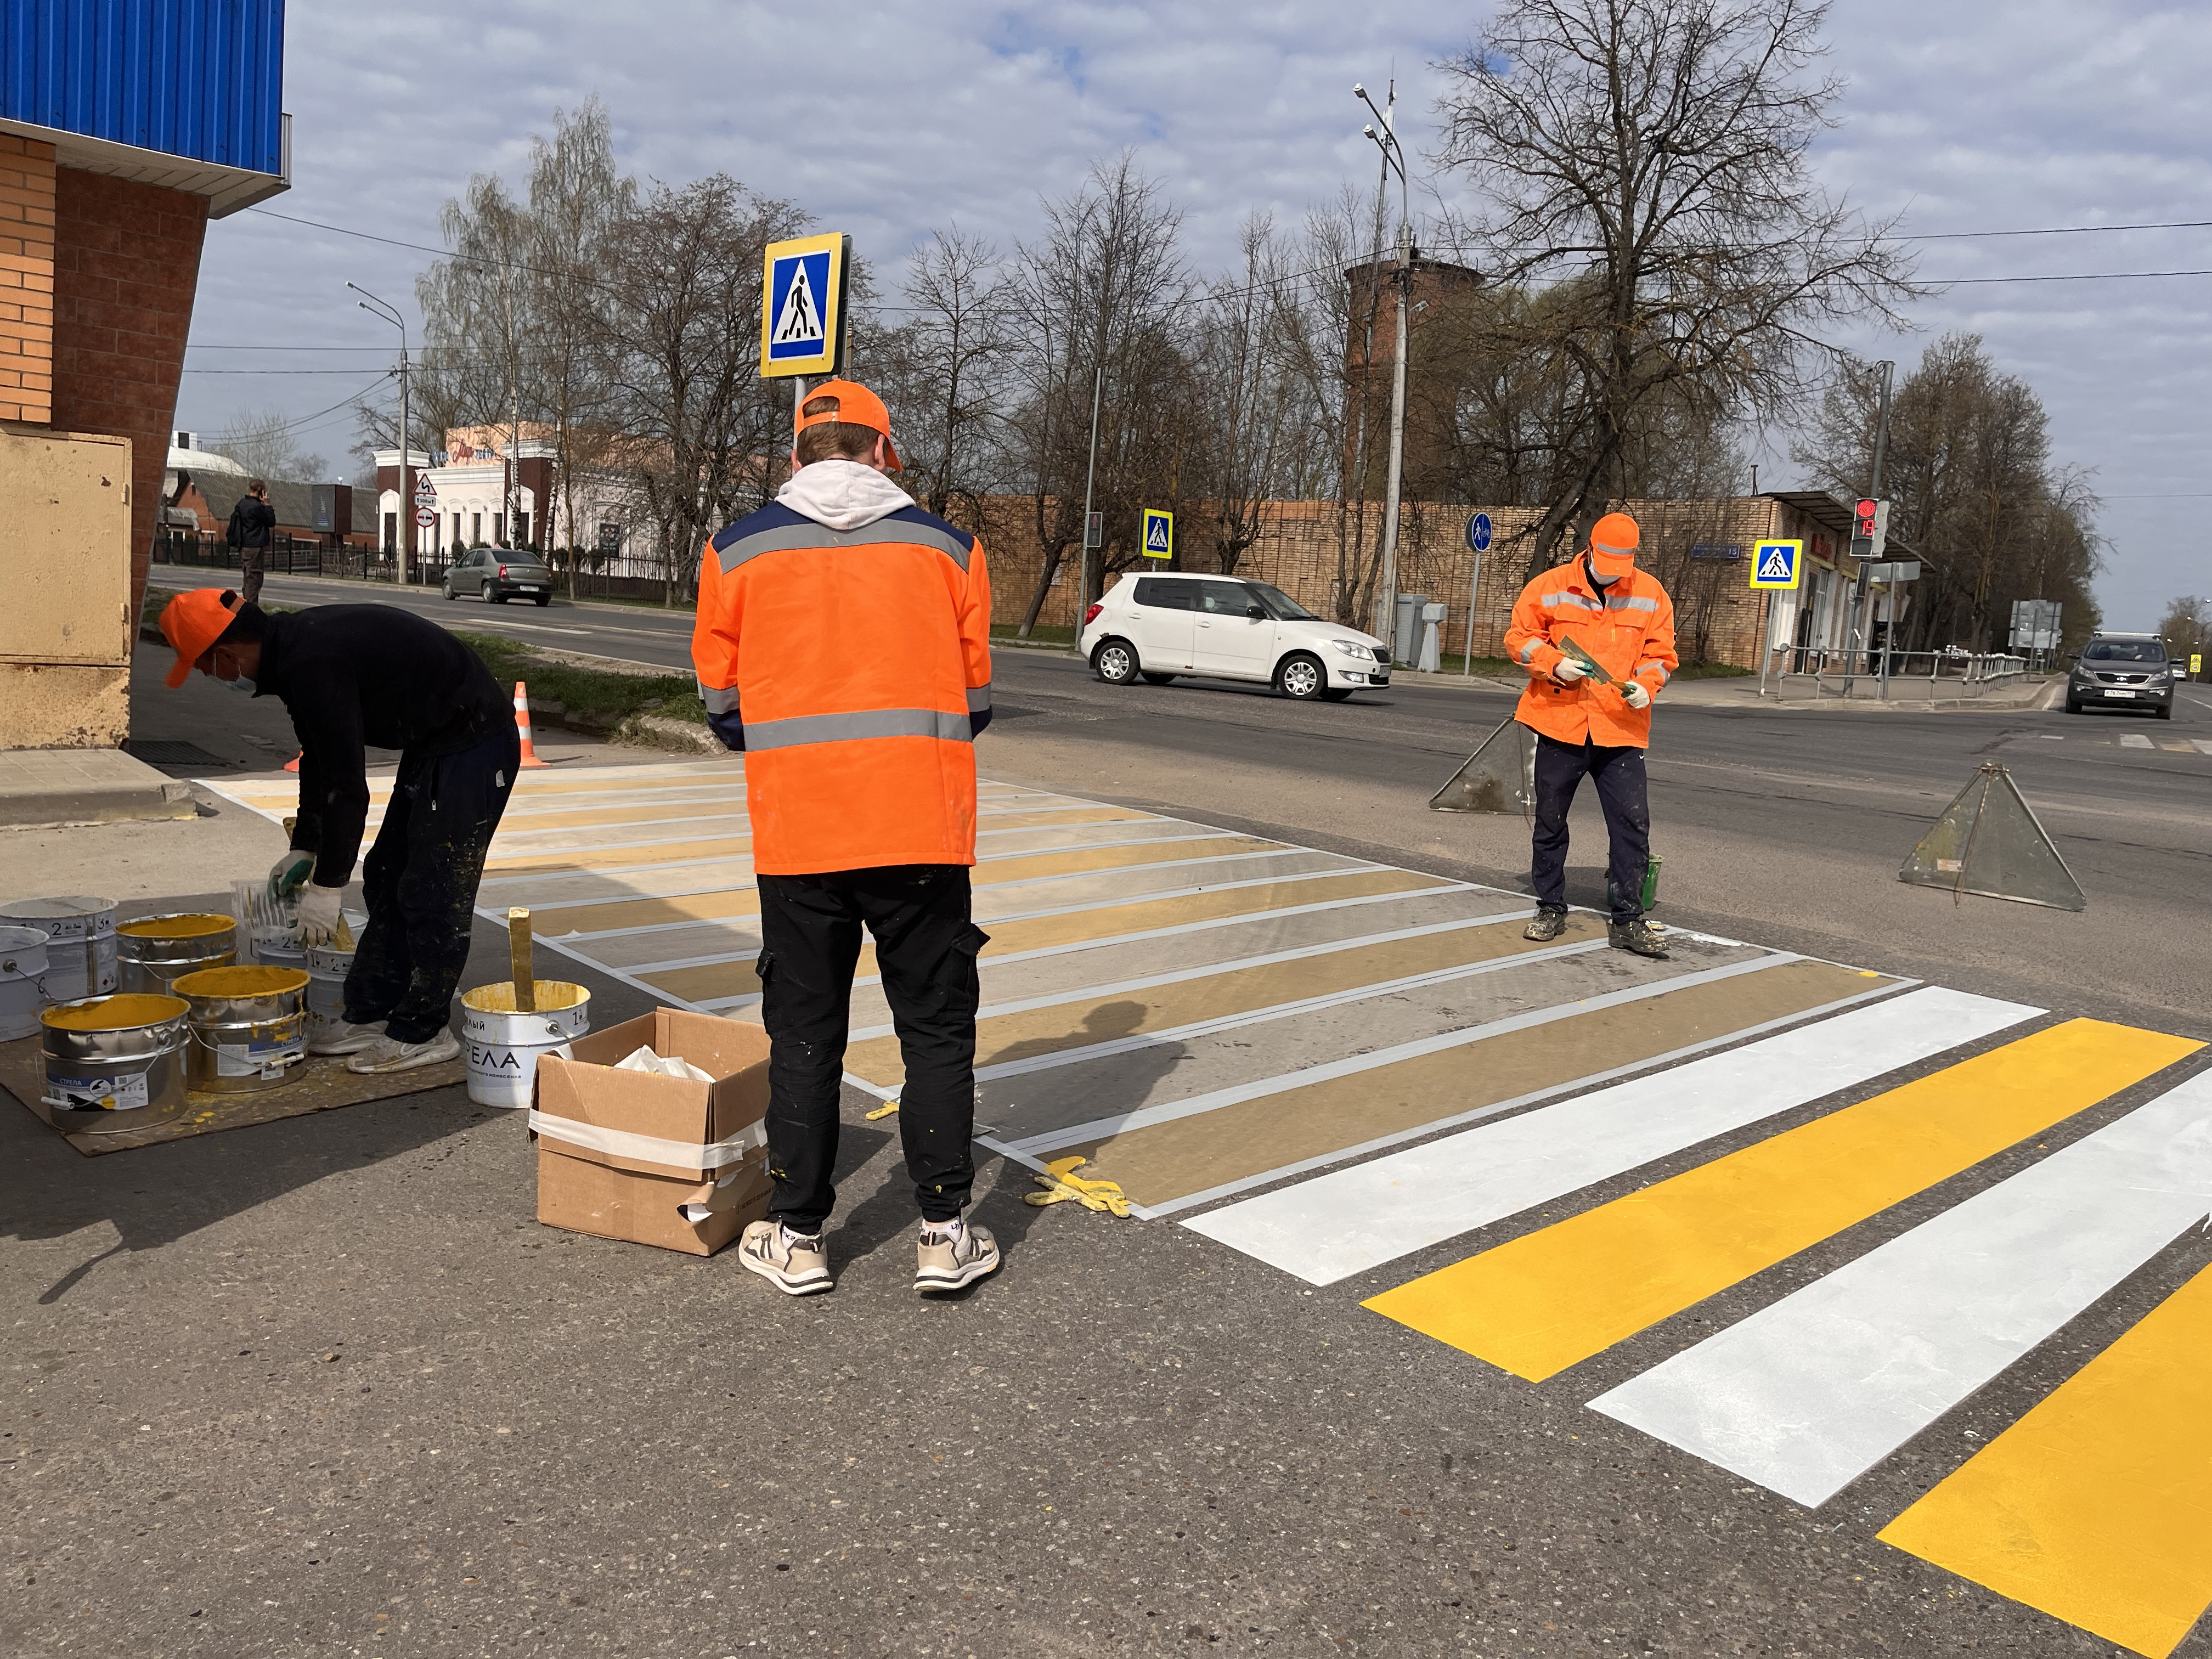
(1222, 627)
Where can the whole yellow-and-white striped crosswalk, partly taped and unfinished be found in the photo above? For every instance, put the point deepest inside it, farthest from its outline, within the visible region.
(1335, 1067)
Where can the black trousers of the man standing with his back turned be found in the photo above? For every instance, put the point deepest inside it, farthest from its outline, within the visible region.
(926, 948)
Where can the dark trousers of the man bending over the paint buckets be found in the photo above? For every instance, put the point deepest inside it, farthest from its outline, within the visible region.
(421, 886)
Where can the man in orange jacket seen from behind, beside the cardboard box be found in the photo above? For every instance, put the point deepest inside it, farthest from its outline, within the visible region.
(844, 645)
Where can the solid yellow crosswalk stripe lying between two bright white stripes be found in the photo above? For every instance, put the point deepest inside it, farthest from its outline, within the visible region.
(1572, 1291)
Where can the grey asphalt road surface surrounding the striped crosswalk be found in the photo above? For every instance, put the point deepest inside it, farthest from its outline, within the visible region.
(324, 1388)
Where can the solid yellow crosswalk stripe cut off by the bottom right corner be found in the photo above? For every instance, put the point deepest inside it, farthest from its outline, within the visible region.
(2098, 1505)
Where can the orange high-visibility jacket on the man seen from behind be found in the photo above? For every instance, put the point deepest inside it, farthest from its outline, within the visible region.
(853, 662)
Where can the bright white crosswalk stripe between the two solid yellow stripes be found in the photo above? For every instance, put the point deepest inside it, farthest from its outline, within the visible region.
(1808, 1395)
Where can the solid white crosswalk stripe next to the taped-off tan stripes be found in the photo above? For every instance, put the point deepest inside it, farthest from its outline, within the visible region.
(1355, 1220)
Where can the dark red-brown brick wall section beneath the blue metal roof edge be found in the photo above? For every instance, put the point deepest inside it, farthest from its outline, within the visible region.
(125, 273)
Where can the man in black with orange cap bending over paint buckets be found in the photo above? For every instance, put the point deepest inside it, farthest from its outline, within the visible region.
(357, 676)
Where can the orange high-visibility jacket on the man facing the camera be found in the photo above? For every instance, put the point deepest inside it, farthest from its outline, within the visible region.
(1629, 629)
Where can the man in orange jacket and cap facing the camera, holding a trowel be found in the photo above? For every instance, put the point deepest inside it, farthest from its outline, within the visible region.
(1598, 722)
